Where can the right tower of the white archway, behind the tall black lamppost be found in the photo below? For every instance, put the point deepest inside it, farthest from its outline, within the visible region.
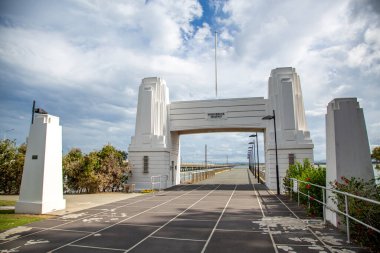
(293, 137)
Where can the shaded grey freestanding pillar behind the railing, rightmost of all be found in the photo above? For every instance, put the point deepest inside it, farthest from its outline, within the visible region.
(347, 146)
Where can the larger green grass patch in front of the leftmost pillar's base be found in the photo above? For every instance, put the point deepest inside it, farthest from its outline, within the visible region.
(8, 219)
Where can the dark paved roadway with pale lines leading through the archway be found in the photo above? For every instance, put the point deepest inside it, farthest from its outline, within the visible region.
(224, 214)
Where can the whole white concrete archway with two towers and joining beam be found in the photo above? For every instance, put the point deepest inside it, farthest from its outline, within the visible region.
(155, 147)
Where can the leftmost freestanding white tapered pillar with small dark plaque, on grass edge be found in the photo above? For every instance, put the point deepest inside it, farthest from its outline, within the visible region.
(41, 186)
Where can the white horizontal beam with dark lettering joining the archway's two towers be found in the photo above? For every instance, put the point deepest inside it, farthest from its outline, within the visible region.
(219, 115)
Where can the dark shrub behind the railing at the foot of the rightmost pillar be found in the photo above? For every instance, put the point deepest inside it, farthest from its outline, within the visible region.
(364, 211)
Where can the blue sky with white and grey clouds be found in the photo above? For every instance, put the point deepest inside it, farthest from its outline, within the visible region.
(83, 61)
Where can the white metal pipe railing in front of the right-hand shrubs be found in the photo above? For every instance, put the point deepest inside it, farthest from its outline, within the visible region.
(294, 187)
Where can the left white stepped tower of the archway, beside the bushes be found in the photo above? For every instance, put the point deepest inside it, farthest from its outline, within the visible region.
(151, 139)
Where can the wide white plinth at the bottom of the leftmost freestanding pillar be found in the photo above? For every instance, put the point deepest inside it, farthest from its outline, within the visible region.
(40, 207)
